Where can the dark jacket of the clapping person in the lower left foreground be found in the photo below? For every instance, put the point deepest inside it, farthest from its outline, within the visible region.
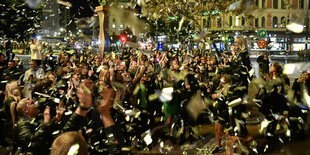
(33, 135)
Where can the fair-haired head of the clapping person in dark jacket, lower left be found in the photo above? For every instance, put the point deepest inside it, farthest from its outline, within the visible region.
(24, 107)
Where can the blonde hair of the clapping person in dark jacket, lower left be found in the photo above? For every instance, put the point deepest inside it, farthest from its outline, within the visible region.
(17, 109)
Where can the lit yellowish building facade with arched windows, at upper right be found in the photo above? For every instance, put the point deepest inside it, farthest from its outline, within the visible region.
(273, 16)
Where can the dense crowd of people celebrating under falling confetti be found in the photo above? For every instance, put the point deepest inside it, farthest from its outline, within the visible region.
(109, 104)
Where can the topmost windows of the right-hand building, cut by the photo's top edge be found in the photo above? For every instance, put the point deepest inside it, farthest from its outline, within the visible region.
(283, 4)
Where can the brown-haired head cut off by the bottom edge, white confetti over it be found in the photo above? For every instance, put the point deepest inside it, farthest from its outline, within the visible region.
(73, 141)
